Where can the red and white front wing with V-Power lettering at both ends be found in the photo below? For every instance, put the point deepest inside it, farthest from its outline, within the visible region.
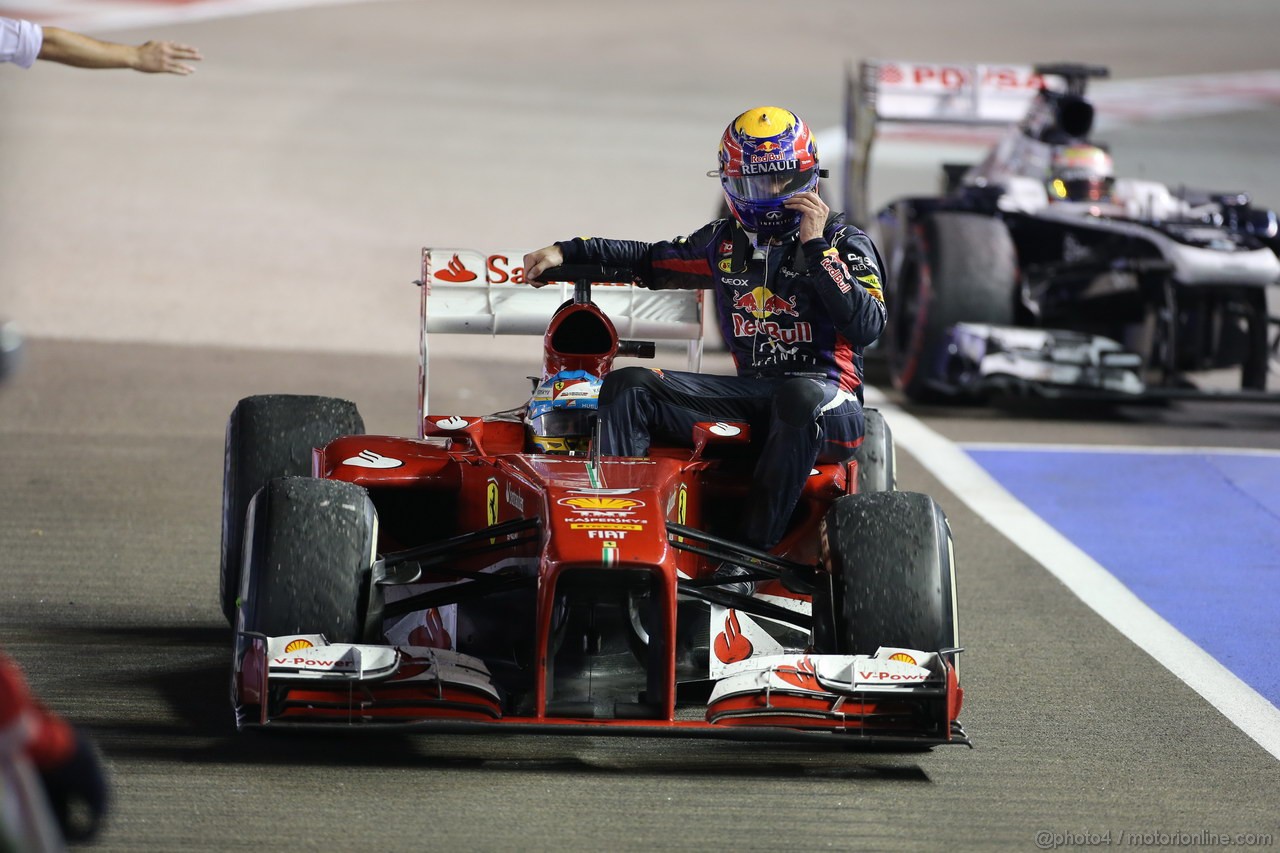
(893, 699)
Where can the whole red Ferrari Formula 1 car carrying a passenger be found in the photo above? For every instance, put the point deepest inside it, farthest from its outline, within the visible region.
(464, 581)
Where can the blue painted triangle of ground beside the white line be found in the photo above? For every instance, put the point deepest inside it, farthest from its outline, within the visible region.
(1195, 533)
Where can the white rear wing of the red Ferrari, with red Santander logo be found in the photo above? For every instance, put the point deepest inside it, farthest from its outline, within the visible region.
(473, 293)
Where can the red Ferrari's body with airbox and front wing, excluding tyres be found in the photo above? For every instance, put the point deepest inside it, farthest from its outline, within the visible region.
(591, 523)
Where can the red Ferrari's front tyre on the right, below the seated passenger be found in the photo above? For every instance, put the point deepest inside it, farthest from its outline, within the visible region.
(893, 576)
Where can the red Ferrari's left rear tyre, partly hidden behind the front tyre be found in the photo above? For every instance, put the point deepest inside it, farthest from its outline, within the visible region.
(271, 436)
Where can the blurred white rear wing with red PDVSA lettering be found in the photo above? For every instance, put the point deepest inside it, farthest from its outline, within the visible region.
(881, 92)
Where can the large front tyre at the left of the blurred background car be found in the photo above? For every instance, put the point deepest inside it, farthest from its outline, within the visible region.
(959, 268)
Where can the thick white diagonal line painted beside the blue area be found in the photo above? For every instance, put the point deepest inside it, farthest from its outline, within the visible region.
(1089, 581)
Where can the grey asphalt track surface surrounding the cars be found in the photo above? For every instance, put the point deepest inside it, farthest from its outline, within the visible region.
(173, 245)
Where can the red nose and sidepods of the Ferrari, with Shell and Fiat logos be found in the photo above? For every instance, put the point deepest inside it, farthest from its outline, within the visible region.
(666, 487)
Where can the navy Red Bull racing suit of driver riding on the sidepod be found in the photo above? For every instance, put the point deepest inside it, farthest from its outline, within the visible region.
(796, 320)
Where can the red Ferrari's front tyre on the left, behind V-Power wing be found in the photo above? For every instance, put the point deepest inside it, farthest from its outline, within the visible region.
(310, 562)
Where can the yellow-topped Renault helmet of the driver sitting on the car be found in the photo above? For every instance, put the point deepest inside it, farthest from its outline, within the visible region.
(767, 156)
